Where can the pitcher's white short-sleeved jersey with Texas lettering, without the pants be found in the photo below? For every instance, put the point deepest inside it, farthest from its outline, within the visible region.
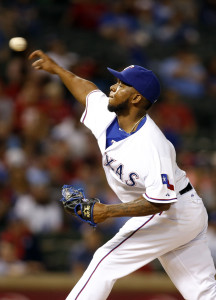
(142, 164)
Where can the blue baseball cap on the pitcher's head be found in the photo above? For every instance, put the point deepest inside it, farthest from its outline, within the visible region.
(143, 80)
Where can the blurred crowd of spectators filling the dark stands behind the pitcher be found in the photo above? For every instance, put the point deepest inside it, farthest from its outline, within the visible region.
(42, 143)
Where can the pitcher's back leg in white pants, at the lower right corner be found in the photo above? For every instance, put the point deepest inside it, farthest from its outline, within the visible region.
(192, 270)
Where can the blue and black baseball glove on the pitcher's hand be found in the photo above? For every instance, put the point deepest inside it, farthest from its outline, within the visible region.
(74, 200)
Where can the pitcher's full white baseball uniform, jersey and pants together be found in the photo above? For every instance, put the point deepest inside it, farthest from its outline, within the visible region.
(144, 164)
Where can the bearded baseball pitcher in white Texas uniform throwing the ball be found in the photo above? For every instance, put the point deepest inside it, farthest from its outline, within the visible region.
(168, 219)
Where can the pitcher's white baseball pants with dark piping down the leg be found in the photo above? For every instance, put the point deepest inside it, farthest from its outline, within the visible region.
(176, 237)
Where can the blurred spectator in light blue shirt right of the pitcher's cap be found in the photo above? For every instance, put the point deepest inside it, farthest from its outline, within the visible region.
(184, 72)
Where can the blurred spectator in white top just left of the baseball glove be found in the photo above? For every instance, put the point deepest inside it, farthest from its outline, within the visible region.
(38, 209)
